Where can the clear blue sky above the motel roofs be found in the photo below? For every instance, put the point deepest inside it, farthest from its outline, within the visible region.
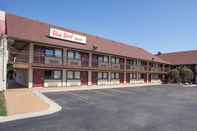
(155, 25)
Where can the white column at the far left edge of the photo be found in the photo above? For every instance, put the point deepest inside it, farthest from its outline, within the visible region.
(3, 62)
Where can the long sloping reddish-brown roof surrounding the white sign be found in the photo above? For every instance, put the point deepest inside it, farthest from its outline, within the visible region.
(31, 30)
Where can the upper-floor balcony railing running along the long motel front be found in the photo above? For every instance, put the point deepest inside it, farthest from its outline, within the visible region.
(40, 58)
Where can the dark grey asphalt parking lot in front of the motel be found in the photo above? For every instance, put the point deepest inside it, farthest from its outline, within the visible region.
(163, 108)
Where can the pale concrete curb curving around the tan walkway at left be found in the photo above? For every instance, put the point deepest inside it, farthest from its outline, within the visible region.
(53, 107)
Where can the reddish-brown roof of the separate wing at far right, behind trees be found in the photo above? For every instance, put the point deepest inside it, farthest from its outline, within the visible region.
(180, 58)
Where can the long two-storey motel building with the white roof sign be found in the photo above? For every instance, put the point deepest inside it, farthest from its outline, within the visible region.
(36, 54)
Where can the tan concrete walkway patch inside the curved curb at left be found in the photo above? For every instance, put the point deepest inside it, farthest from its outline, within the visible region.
(20, 101)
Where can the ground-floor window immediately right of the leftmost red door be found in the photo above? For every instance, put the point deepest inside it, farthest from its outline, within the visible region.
(52, 75)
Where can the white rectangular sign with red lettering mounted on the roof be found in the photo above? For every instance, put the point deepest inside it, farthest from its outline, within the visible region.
(64, 35)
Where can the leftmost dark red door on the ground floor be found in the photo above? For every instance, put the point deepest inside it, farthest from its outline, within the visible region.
(38, 78)
